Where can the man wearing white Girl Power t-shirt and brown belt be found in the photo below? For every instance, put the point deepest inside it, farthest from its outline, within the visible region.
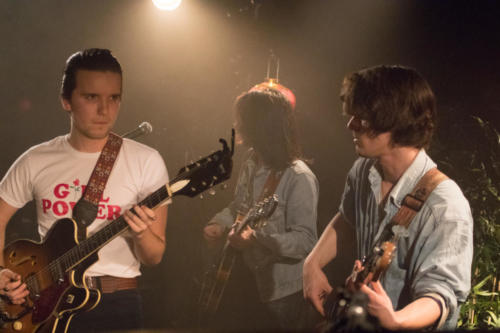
(55, 174)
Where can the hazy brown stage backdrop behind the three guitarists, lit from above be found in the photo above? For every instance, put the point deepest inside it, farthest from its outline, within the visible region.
(183, 69)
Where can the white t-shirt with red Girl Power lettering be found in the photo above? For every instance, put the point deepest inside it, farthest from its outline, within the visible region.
(54, 174)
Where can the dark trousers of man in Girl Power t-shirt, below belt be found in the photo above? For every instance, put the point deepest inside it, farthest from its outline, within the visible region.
(121, 310)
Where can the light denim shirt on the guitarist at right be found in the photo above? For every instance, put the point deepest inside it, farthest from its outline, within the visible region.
(436, 256)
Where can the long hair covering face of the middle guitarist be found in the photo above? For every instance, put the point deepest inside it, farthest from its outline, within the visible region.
(266, 121)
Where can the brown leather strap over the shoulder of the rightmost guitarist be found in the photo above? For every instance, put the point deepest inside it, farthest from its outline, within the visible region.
(413, 202)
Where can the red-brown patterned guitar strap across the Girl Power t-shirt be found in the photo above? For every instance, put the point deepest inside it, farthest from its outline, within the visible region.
(85, 210)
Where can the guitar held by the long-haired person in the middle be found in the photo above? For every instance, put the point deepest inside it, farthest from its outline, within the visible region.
(216, 278)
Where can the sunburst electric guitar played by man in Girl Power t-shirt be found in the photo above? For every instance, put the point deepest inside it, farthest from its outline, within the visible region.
(54, 269)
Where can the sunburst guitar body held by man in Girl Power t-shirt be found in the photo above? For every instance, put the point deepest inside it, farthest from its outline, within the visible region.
(55, 295)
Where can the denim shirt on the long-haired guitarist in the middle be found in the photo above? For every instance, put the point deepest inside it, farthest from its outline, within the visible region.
(277, 256)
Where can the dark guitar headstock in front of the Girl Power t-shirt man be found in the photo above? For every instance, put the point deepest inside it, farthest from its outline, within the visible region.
(206, 172)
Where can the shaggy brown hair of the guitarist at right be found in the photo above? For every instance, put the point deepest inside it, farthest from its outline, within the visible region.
(393, 99)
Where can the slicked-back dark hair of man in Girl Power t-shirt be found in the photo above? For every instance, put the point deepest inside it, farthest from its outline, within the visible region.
(88, 59)
